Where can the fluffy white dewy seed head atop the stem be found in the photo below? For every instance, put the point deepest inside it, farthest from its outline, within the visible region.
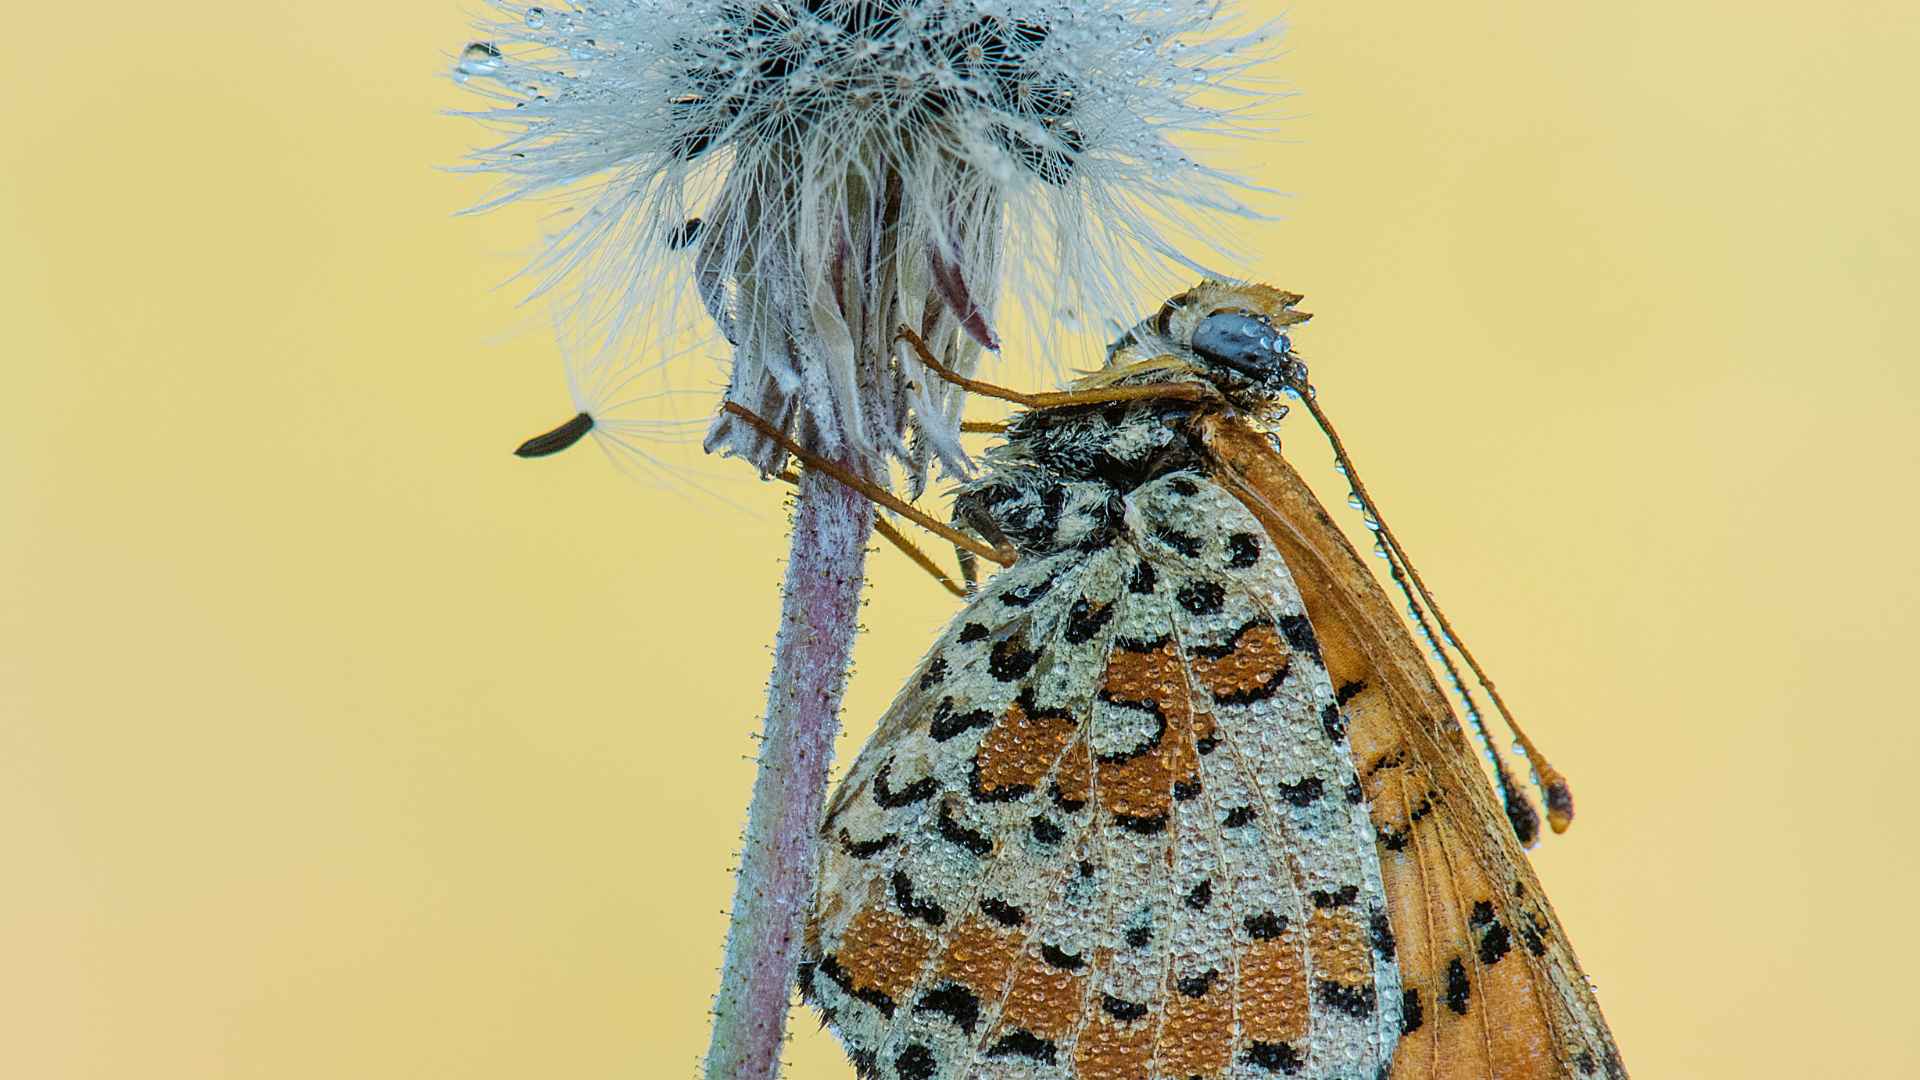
(811, 174)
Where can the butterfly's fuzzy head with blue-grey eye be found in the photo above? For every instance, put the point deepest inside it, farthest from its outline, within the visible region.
(1230, 335)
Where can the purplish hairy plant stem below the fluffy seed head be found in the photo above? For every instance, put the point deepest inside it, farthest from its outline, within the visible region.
(819, 618)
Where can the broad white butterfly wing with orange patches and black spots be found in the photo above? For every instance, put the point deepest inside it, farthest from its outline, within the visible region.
(1109, 833)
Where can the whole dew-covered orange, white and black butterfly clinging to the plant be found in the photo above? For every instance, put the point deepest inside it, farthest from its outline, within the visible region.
(1178, 795)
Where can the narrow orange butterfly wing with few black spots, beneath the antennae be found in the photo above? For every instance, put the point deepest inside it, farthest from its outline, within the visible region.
(1491, 985)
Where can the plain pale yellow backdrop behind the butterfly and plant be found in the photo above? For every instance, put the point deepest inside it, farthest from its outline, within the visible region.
(339, 743)
